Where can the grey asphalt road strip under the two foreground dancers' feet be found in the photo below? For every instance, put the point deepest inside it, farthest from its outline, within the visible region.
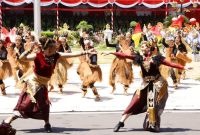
(102, 123)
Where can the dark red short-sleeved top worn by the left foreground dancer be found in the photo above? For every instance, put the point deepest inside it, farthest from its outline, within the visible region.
(44, 65)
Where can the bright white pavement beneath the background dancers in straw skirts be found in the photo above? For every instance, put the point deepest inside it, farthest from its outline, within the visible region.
(186, 97)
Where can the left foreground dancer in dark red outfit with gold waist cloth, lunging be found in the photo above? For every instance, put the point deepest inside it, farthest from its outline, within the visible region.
(33, 101)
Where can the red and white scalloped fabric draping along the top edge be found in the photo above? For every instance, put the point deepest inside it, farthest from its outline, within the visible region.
(103, 3)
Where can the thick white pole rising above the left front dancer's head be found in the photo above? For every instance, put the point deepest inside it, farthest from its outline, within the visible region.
(37, 19)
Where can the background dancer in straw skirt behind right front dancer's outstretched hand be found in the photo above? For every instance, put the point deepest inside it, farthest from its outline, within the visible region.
(121, 68)
